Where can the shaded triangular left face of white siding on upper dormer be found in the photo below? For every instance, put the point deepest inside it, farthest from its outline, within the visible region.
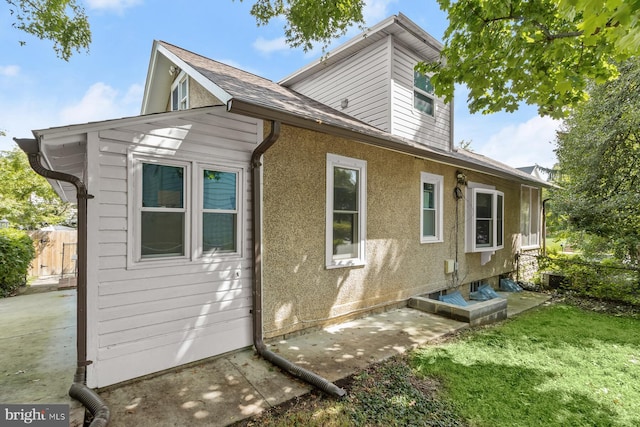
(363, 80)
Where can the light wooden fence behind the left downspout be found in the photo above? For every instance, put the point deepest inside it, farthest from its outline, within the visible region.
(55, 253)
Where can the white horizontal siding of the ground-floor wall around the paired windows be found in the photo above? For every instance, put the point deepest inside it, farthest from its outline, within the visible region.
(149, 316)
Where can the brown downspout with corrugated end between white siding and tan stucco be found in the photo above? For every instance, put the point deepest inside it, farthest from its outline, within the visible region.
(256, 224)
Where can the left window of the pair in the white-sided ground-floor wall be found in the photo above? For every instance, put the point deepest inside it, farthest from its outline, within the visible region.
(163, 210)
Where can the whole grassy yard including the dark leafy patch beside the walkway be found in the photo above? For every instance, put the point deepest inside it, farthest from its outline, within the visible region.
(555, 366)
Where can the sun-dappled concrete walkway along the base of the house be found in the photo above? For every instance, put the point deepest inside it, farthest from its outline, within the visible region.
(228, 389)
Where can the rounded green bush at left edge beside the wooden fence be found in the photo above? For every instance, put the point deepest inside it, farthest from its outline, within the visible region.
(16, 253)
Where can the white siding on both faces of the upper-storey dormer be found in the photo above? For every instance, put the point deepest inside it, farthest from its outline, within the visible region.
(378, 84)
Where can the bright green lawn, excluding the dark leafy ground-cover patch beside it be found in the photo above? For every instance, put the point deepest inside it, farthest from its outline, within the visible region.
(557, 366)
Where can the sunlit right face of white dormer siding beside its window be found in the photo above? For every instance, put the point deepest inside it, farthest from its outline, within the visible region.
(408, 122)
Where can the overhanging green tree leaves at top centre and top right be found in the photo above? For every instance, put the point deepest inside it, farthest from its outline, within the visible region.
(540, 52)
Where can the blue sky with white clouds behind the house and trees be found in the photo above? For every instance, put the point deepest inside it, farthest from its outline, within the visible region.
(39, 90)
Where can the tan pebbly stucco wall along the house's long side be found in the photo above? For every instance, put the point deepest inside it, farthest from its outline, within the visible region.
(299, 292)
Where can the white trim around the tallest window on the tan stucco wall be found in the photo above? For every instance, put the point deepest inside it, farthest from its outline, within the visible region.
(334, 160)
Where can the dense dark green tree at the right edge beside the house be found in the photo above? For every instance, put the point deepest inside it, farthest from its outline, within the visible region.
(599, 158)
